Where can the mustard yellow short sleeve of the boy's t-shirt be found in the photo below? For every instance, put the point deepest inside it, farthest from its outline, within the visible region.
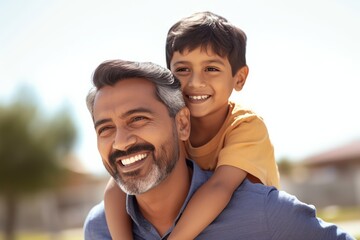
(247, 146)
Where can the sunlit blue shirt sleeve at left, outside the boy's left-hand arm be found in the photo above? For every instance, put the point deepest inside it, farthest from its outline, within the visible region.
(95, 226)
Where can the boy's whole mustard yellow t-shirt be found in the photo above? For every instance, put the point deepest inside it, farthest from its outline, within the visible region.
(243, 142)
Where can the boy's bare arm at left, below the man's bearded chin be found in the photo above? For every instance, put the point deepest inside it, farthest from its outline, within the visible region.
(118, 221)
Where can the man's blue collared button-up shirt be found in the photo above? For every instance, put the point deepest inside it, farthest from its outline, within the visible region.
(254, 212)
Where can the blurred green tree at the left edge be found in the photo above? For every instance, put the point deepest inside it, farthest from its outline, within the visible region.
(31, 149)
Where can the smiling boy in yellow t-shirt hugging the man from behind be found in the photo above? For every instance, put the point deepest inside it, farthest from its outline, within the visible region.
(207, 54)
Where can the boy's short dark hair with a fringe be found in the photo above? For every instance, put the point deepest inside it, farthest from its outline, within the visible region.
(206, 29)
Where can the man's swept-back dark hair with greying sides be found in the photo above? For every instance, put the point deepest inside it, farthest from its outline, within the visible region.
(167, 86)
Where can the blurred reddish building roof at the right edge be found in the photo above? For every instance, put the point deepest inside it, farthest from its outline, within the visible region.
(347, 152)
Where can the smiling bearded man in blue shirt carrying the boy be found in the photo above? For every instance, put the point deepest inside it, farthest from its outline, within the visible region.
(141, 120)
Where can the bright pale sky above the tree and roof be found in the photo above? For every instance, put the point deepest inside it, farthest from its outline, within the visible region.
(303, 56)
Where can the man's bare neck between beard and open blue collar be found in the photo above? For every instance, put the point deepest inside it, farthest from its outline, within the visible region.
(161, 205)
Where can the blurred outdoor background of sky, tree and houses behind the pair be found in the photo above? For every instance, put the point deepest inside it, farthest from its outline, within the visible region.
(304, 59)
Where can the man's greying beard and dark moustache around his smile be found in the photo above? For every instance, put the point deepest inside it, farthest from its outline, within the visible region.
(164, 163)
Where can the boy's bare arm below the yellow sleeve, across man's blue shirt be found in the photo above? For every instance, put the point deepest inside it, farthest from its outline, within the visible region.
(208, 202)
